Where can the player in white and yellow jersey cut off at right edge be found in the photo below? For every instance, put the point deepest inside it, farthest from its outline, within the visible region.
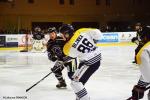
(143, 59)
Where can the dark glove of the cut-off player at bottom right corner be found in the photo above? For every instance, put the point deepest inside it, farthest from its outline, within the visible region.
(138, 92)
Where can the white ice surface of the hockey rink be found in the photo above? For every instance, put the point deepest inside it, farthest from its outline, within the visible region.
(113, 81)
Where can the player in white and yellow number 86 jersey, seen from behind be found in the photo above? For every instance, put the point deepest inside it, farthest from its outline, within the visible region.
(81, 44)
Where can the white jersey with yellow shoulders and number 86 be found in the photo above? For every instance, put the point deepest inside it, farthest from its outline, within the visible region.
(82, 45)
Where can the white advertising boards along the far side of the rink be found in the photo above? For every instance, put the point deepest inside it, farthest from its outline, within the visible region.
(19, 40)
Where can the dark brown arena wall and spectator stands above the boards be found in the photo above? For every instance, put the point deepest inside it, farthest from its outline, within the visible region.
(18, 16)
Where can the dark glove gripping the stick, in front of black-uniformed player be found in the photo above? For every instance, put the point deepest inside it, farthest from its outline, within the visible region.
(57, 67)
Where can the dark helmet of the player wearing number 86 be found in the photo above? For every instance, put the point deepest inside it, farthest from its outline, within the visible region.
(66, 29)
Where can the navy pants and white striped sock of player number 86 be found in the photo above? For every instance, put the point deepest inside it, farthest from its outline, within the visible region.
(80, 77)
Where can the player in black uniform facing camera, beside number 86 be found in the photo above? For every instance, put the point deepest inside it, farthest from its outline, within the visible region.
(55, 53)
